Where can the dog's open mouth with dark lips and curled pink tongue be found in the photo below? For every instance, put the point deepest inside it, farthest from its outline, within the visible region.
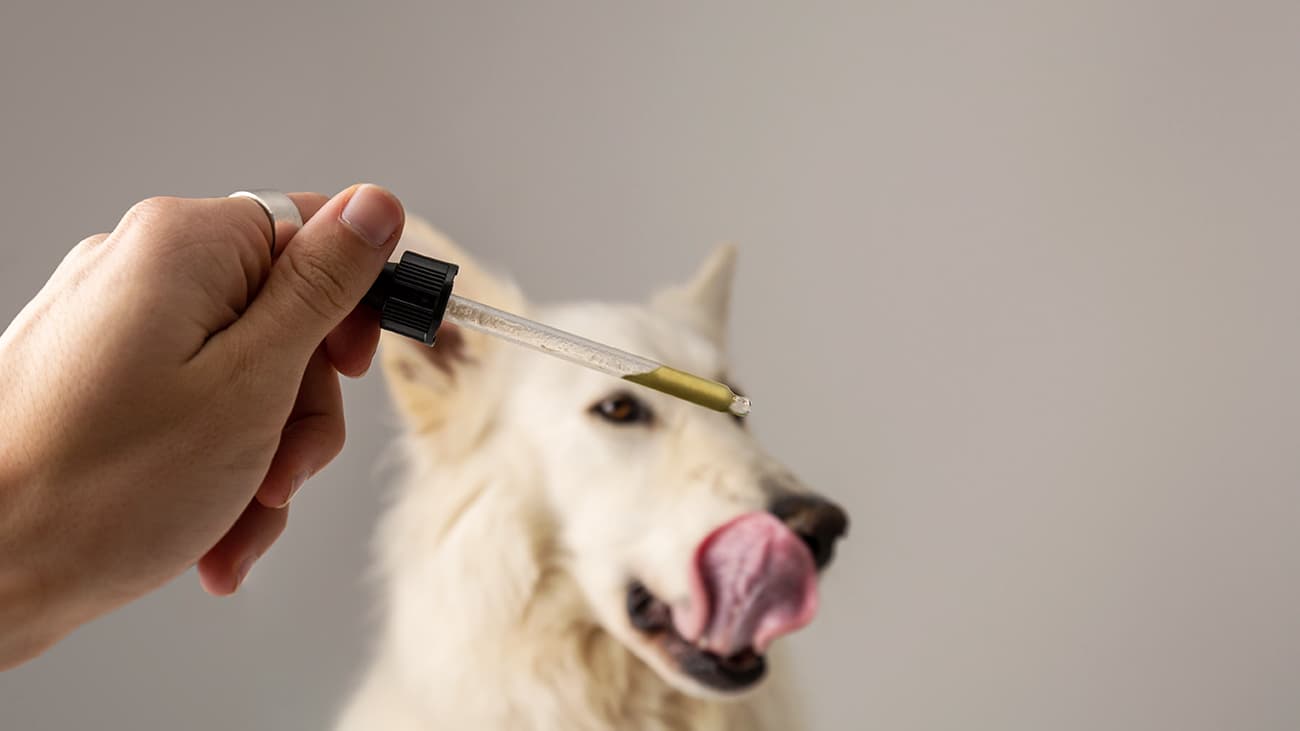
(752, 581)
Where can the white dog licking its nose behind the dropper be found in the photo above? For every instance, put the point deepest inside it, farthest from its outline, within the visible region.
(570, 552)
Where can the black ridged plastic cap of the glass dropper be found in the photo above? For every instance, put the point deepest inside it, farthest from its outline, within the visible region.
(413, 295)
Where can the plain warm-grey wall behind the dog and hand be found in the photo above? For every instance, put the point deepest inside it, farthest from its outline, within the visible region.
(1039, 326)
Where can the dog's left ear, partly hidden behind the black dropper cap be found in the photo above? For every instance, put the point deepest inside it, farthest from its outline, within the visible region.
(426, 382)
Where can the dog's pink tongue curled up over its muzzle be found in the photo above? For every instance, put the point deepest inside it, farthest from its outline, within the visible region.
(755, 581)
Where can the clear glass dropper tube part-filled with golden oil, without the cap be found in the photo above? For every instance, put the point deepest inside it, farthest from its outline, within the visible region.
(599, 357)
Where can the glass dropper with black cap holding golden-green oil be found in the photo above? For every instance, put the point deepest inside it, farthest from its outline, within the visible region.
(414, 297)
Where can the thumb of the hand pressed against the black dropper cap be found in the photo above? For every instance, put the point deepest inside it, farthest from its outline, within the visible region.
(322, 276)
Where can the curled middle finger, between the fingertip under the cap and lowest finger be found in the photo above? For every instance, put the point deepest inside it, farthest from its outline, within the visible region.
(313, 438)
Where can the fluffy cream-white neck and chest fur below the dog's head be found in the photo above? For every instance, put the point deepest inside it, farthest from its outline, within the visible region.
(484, 629)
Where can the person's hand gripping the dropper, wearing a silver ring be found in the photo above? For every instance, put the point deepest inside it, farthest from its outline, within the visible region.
(166, 395)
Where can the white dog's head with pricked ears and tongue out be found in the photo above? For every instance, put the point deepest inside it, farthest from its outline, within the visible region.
(690, 543)
